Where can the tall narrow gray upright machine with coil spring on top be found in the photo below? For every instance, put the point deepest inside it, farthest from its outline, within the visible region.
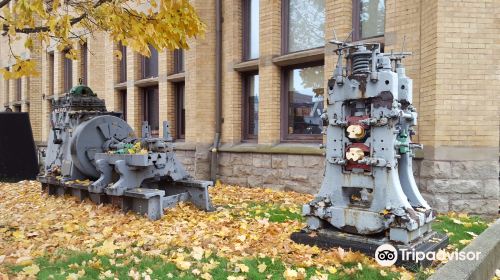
(369, 196)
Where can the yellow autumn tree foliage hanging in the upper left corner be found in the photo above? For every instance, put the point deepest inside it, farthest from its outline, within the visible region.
(65, 23)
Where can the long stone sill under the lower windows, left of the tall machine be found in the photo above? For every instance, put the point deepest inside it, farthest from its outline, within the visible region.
(282, 148)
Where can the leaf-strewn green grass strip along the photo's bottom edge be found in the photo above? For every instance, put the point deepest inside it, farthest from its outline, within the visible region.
(62, 264)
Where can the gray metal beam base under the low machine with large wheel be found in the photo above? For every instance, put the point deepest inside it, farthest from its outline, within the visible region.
(144, 201)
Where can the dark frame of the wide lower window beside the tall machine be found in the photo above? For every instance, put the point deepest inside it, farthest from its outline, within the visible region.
(285, 136)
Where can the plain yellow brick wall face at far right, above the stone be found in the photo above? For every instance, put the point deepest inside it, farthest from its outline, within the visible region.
(466, 101)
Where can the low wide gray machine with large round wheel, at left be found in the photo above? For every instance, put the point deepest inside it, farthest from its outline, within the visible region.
(93, 153)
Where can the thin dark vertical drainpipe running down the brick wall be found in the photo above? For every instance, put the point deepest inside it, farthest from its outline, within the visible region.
(218, 90)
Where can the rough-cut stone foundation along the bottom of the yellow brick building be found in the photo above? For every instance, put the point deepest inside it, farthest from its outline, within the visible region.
(470, 186)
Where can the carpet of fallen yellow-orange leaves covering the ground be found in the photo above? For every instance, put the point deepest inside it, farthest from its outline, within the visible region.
(33, 224)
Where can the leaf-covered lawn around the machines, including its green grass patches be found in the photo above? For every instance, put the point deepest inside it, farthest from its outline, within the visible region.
(246, 238)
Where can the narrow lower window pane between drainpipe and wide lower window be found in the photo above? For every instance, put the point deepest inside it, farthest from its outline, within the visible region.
(252, 96)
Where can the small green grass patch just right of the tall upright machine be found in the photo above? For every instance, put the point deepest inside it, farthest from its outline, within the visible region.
(459, 228)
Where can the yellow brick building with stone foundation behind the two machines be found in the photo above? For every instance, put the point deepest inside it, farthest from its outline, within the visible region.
(274, 64)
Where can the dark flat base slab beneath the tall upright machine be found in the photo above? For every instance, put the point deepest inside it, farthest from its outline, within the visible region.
(329, 238)
